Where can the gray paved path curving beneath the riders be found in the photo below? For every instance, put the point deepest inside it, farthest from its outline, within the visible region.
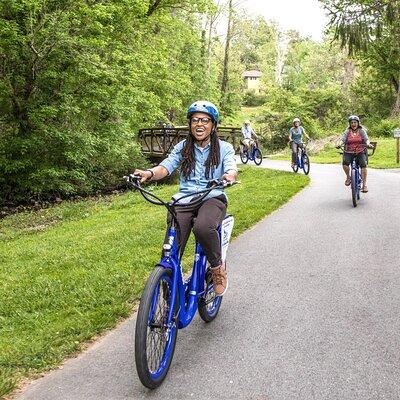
(312, 311)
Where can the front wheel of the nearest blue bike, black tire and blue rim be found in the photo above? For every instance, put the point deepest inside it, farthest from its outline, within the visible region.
(154, 339)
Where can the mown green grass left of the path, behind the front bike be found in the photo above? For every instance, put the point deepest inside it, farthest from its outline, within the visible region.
(69, 272)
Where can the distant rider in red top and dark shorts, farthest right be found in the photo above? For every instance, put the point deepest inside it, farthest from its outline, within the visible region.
(355, 141)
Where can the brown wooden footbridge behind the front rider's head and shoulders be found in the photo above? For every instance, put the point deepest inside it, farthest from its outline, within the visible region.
(158, 142)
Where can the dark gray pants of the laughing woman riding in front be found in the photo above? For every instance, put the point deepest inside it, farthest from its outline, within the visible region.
(206, 217)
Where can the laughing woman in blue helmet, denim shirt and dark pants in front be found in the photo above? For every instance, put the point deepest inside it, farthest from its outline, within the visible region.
(202, 158)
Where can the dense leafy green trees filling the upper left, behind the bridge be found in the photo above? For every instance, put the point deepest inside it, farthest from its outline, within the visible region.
(77, 80)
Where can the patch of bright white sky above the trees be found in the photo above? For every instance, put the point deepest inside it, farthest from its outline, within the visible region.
(305, 16)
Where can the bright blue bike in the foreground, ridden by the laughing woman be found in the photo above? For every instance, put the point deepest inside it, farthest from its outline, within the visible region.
(169, 301)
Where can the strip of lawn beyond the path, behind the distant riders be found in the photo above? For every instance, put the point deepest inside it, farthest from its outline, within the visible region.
(384, 157)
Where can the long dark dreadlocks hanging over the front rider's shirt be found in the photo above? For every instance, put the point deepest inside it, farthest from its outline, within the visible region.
(188, 163)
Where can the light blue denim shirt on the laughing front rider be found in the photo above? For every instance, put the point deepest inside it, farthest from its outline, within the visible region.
(197, 180)
